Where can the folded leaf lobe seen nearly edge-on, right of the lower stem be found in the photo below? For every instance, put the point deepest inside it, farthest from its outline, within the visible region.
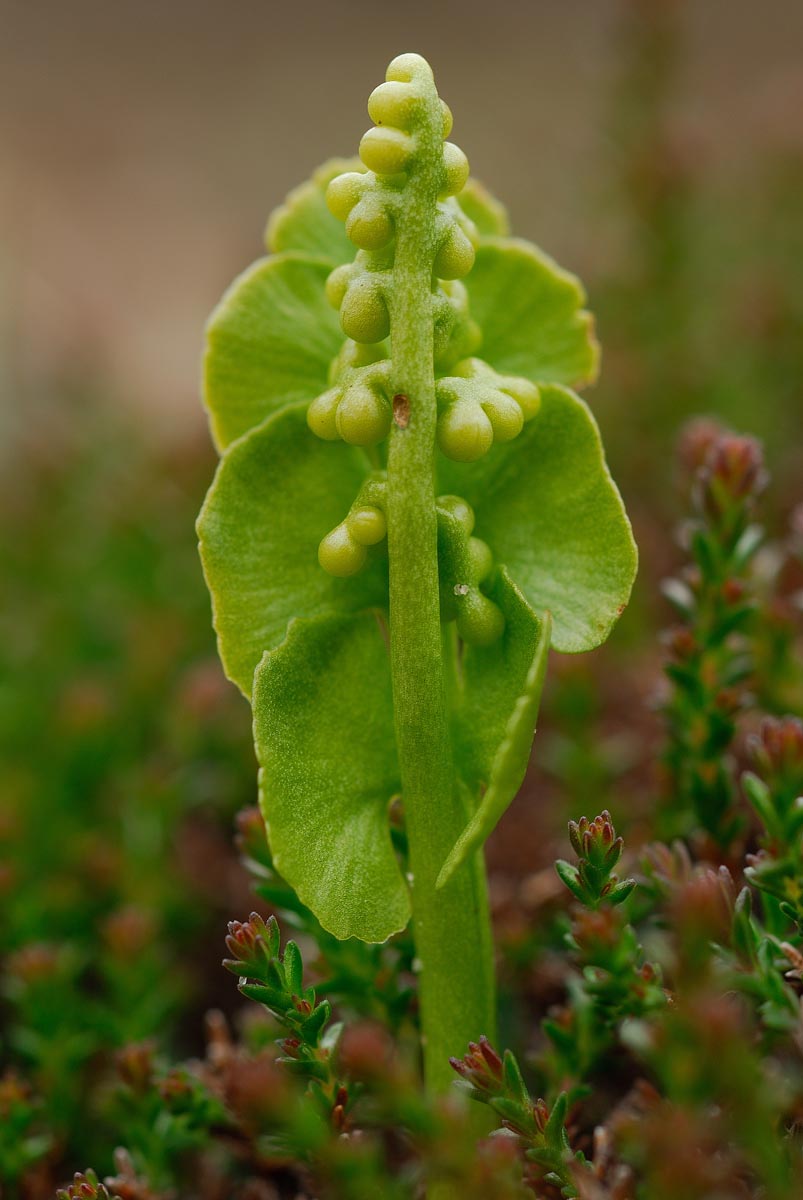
(496, 721)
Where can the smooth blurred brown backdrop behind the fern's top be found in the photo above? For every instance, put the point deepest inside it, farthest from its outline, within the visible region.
(142, 146)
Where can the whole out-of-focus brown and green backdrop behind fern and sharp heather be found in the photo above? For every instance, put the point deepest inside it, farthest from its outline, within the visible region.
(654, 147)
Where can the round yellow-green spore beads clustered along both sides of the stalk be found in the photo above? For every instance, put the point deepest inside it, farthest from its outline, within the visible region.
(476, 405)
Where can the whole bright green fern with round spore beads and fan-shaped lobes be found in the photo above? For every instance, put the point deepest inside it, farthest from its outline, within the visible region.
(411, 508)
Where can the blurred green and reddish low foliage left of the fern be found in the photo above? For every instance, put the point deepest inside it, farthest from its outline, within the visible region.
(124, 757)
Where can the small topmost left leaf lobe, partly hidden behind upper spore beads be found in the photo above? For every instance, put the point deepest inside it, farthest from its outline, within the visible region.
(304, 224)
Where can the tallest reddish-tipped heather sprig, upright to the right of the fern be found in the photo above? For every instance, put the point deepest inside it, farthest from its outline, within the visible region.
(711, 652)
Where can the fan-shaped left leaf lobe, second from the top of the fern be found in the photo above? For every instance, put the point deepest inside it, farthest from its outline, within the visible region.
(269, 344)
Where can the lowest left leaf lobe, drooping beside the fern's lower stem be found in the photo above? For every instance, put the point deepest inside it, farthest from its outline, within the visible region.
(323, 731)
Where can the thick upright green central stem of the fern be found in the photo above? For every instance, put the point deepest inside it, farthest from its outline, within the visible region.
(452, 927)
